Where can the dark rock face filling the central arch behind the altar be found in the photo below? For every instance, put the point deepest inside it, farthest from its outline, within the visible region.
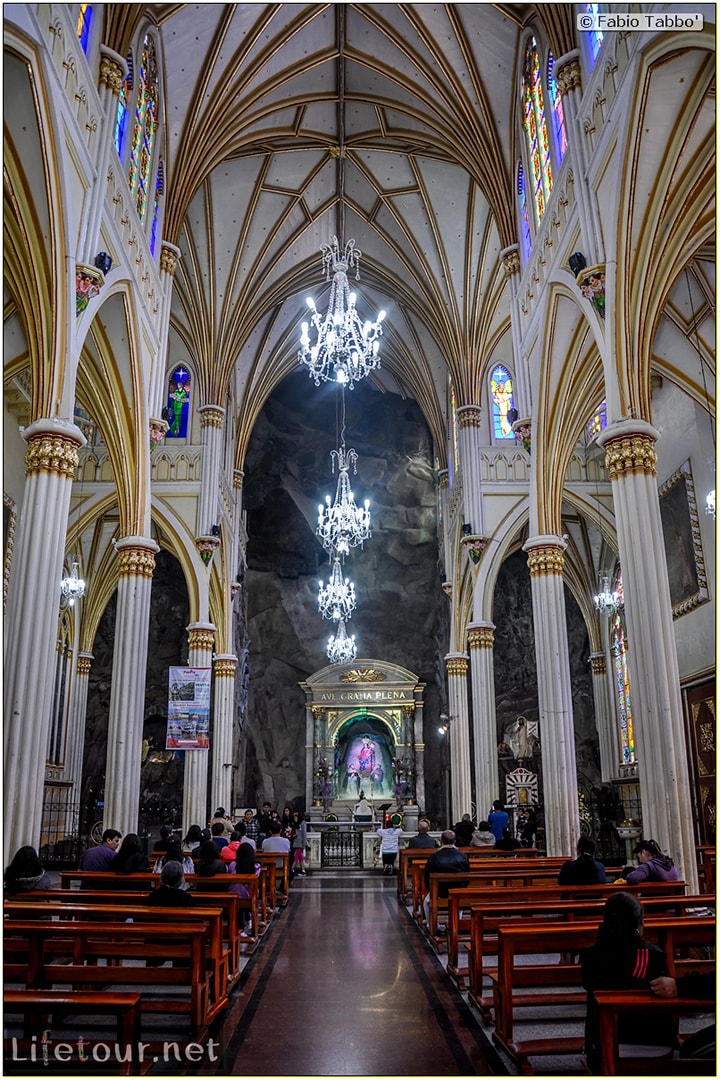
(400, 602)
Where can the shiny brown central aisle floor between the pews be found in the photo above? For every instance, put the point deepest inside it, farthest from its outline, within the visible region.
(346, 987)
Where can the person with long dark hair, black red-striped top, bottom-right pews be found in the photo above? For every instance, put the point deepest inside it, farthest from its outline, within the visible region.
(622, 961)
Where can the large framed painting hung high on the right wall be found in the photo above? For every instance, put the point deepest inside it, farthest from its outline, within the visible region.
(684, 551)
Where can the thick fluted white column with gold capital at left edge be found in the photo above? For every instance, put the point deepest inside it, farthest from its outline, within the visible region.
(33, 609)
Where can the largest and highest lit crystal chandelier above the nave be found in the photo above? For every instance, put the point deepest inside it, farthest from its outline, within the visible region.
(346, 349)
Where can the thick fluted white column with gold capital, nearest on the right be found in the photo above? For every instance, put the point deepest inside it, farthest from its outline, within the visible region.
(658, 719)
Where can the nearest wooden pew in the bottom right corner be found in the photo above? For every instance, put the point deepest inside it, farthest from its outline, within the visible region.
(612, 1004)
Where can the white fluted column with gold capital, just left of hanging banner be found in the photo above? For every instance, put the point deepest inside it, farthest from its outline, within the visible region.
(127, 717)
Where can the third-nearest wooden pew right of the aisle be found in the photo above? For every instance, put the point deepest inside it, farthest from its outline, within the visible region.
(485, 922)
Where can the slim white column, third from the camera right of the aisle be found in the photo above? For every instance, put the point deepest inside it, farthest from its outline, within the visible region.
(481, 644)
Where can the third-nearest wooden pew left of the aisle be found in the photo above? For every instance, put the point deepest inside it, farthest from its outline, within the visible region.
(220, 956)
